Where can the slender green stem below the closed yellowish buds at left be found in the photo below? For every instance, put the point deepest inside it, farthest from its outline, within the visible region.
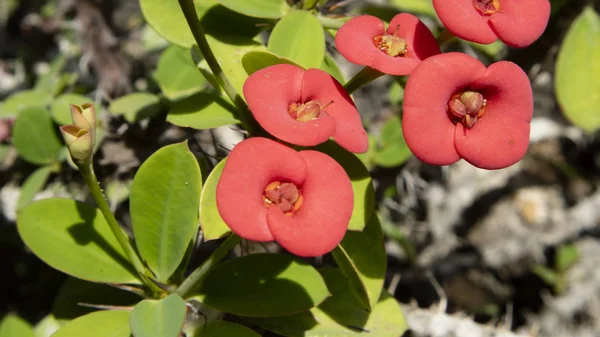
(89, 177)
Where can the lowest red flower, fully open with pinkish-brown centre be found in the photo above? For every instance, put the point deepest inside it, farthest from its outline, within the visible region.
(268, 191)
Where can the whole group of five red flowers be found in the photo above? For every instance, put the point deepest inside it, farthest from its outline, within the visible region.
(454, 108)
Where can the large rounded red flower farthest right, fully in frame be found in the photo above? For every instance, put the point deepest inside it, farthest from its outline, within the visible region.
(456, 108)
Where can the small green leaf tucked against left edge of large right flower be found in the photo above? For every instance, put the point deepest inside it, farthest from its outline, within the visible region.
(391, 150)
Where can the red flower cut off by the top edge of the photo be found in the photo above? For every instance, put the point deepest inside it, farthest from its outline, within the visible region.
(518, 23)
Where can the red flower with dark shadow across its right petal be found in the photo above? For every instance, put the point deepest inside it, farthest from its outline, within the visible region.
(396, 51)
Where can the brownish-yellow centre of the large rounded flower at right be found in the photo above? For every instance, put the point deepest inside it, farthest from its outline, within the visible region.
(466, 107)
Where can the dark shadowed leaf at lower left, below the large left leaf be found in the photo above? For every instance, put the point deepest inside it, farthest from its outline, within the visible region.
(66, 305)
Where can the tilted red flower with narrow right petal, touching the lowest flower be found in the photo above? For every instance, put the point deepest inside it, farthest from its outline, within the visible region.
(304, 107)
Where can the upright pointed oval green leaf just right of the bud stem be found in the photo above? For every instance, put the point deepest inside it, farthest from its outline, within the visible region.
(165, 195)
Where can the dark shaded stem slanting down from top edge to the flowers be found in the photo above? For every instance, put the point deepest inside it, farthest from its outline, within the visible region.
(189, 11)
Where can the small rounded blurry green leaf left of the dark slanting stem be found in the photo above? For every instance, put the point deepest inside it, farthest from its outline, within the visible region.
(177, 74)
